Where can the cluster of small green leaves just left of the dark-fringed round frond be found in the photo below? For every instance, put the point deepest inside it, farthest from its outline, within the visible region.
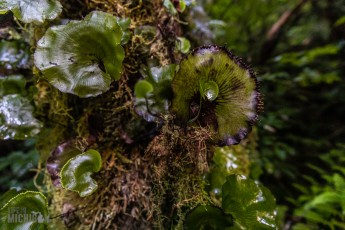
(155, 90)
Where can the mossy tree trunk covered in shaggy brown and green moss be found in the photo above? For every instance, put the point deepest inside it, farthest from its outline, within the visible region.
(152, 172)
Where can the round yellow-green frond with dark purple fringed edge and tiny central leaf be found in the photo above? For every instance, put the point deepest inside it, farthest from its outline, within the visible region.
(216, 89)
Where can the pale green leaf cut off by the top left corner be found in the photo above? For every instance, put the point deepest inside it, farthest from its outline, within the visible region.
(36, 11)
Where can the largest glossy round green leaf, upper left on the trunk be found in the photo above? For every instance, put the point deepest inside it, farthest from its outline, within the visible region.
(82, 57)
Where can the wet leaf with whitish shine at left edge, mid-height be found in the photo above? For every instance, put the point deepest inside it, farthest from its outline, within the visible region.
(16, 118)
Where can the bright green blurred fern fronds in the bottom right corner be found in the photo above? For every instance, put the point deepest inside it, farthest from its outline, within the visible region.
(322, 202)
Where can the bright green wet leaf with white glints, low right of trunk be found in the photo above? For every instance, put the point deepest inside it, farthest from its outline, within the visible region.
(251, 205)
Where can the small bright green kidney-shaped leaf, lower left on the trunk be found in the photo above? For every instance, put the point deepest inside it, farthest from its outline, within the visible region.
(76, 173)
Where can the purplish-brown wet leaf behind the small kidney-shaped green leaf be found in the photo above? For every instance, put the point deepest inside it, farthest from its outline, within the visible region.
(59, 157)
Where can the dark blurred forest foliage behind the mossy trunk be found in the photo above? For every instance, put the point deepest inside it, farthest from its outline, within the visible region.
(297, 48)
